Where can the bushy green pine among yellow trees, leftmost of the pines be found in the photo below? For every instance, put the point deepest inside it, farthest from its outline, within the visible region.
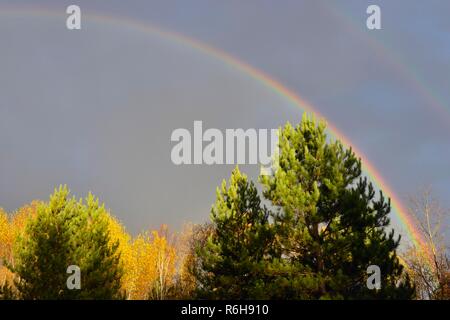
(67, 232)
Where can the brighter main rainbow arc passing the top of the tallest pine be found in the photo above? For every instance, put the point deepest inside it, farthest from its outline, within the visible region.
(264, 79)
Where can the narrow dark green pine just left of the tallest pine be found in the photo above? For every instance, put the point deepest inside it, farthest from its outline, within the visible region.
(233, 259)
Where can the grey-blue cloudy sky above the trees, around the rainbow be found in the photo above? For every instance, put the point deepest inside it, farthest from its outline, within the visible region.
(95, 108)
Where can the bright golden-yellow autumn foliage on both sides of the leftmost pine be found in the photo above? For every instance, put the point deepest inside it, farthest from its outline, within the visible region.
(149, 260)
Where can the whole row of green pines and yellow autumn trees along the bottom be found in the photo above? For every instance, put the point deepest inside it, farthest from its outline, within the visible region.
(311, 234)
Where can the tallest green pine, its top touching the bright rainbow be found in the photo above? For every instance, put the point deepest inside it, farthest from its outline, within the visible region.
(329, 223)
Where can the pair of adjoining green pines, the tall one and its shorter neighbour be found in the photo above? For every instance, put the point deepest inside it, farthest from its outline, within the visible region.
(325, 227)
